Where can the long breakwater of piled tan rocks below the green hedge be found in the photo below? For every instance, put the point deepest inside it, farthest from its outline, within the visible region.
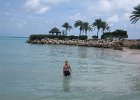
(117, 45)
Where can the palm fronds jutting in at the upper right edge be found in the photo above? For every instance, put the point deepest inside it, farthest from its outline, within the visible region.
(135, 14)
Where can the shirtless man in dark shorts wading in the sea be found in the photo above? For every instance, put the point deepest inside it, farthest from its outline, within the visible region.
(67, 69)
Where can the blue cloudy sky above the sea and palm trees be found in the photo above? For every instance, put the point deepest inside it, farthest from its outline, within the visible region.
(26, 17)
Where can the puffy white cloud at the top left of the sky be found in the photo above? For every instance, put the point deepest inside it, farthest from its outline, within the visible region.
(41, 6)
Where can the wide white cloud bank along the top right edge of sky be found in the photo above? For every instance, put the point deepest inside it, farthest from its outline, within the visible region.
(107, 7)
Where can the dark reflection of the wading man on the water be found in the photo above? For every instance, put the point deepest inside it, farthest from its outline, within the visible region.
(66, 83)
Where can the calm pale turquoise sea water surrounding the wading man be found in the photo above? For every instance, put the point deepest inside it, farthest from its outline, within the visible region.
(34, 72)
